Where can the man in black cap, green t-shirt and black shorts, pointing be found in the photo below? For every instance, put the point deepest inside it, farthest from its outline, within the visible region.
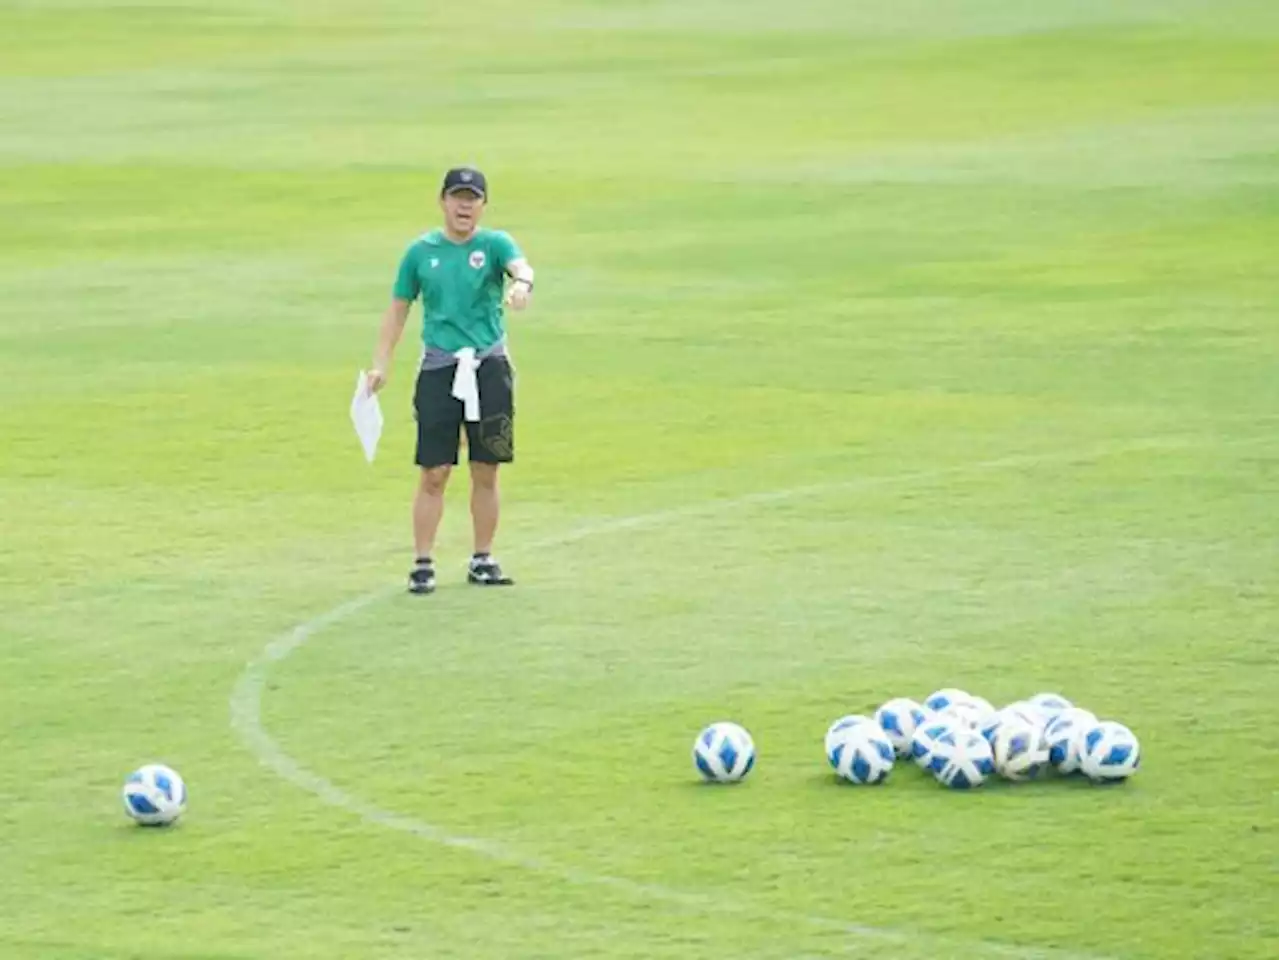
(465, 380)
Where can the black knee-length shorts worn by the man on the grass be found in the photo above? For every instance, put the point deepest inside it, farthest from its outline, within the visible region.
(441, 418)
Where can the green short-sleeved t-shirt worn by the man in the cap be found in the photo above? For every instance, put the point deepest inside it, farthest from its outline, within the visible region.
(461, 286)
